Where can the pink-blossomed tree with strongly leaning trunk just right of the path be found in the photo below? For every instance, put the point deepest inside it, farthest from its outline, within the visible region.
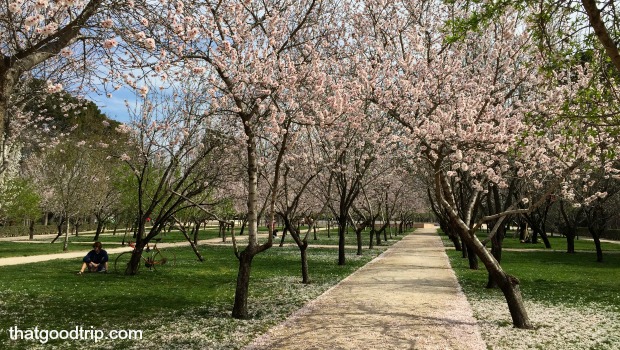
(467, 107)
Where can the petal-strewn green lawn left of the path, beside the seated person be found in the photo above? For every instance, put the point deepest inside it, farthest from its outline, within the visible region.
(166, 304)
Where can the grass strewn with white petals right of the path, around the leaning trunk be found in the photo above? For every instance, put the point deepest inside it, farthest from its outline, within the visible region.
(572, 301)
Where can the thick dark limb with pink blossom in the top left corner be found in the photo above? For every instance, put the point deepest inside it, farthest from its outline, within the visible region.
(40, 39)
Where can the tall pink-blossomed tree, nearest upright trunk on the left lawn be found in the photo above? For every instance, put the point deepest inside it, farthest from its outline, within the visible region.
(252, 56)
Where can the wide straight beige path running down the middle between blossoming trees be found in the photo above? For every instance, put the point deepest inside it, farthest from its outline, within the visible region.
(407, 298)
